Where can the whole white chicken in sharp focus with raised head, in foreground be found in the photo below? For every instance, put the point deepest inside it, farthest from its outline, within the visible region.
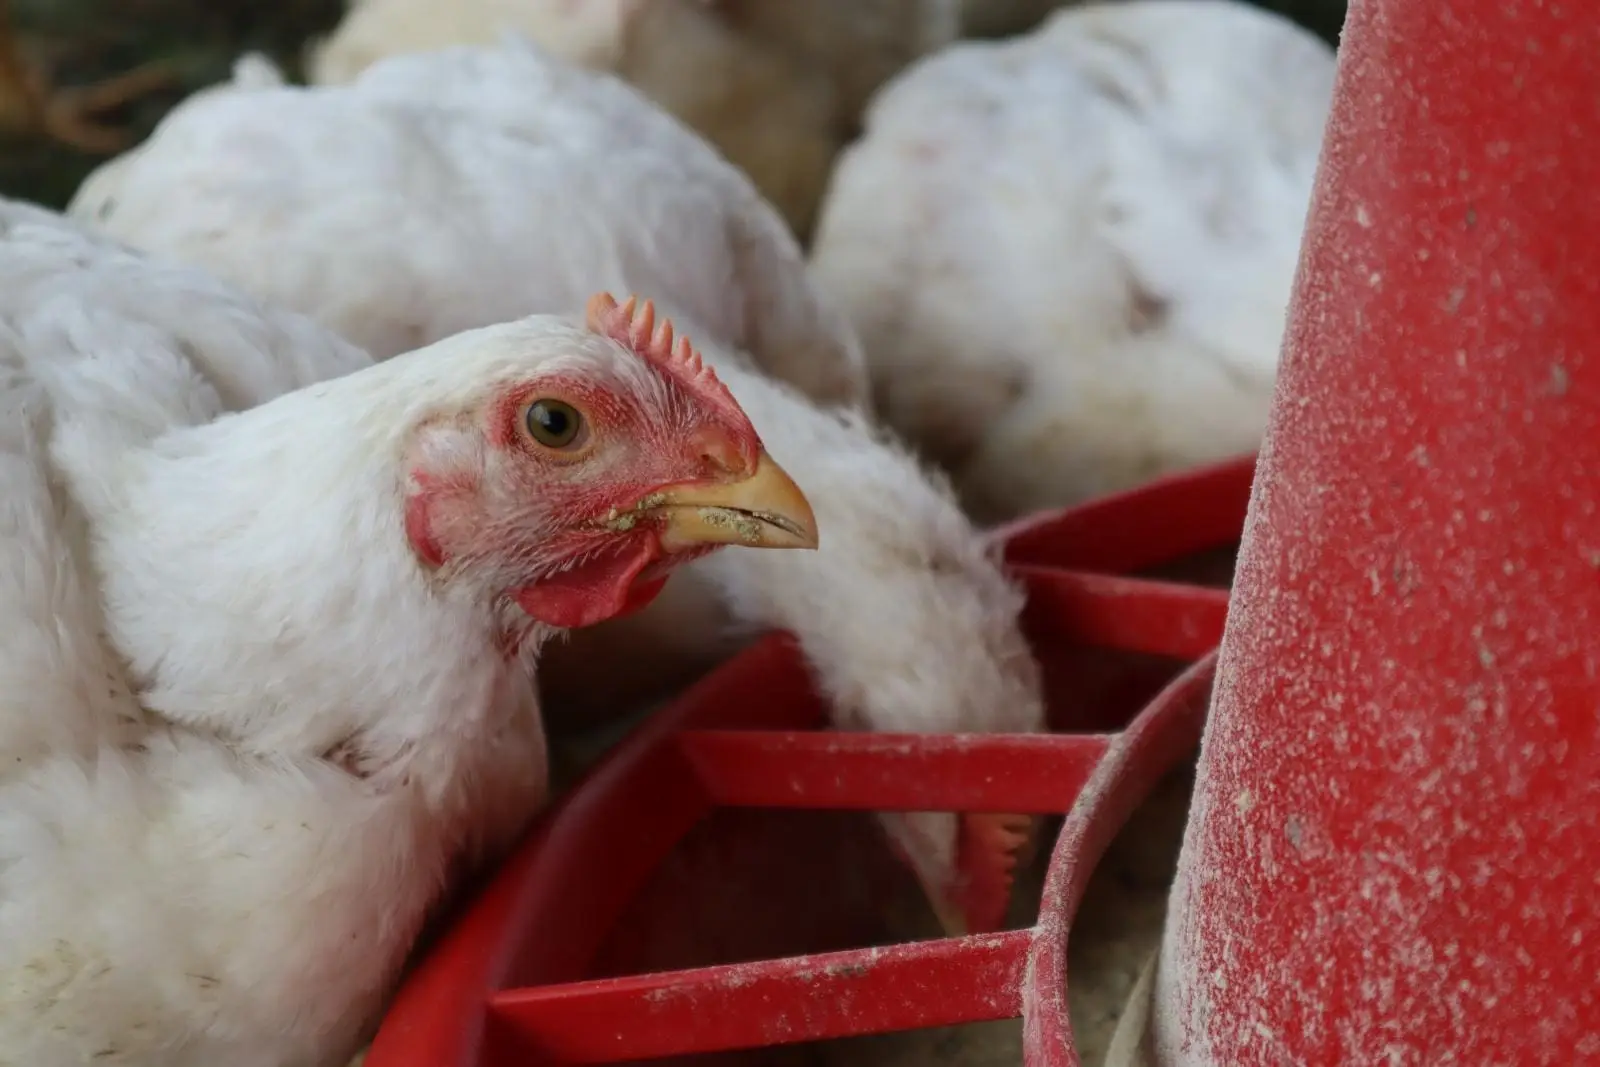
(265, 677)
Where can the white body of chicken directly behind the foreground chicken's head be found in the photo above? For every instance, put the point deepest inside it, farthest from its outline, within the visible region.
(601, 188)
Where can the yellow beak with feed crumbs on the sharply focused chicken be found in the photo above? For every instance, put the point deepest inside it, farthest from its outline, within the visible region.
(764, 511)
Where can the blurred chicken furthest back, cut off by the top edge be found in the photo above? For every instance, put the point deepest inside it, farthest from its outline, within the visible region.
(777, 86)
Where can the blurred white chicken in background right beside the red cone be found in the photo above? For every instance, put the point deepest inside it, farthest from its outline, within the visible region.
(1070, 255)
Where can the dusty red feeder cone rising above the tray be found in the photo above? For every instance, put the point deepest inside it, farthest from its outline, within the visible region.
(1394, 853)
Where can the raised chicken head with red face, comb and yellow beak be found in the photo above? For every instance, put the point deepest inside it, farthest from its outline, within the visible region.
(575, 490)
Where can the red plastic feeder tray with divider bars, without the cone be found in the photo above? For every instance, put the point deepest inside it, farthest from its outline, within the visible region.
(582, 951)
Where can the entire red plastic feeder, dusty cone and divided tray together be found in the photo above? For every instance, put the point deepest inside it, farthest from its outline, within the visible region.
(1394, 849)
